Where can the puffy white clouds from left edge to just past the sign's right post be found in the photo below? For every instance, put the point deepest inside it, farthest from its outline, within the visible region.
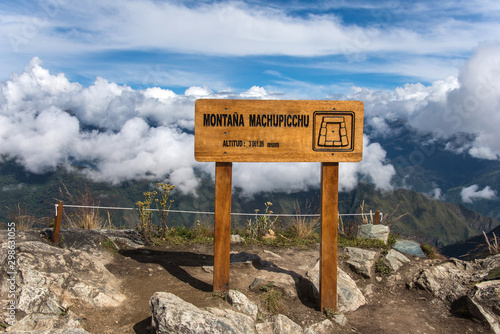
(121, 134)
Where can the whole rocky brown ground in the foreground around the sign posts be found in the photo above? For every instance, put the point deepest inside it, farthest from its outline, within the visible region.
(103, 282)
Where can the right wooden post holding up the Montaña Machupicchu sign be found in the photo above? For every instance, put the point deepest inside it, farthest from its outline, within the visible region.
(329, 226)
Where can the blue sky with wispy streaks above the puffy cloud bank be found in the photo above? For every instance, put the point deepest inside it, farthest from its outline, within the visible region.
(297, 48)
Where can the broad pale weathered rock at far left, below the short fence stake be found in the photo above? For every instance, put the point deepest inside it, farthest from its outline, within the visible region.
(51, 275)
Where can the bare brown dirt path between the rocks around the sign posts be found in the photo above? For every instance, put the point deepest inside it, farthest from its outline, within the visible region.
(185, 272)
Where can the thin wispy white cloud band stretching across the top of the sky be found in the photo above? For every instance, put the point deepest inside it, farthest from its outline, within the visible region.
(237, 28)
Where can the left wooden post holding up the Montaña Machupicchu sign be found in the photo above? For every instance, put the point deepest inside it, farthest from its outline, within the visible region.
(222, 228)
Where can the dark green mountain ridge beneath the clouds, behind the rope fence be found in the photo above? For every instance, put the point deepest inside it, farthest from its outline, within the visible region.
(426, 219)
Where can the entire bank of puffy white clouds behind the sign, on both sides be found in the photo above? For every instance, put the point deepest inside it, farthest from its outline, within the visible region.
(121, 133)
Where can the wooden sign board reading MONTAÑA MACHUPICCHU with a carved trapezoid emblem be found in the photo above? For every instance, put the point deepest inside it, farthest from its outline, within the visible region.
(278, 130)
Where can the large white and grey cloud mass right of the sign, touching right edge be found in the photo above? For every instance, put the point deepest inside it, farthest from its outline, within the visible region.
(462, 110)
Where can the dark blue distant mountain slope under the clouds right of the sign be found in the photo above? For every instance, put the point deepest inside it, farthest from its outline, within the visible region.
(425, 164)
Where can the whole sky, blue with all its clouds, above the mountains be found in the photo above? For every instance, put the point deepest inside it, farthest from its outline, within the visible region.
(130, 71)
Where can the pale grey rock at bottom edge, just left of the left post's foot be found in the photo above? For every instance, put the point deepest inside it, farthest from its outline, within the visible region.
(171, 314)
